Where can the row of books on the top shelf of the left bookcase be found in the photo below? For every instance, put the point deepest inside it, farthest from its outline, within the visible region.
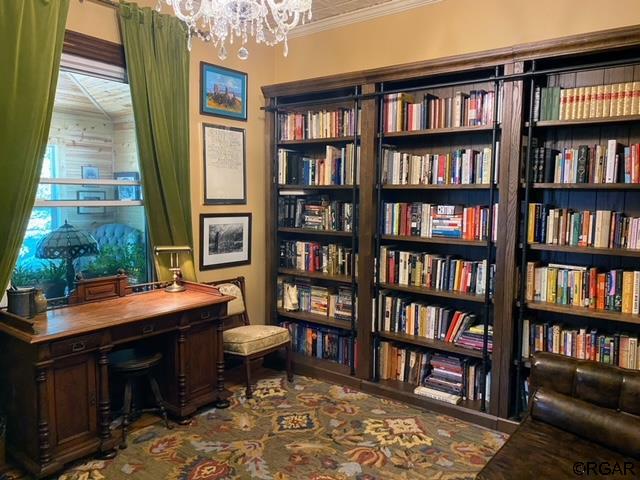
(318, 124)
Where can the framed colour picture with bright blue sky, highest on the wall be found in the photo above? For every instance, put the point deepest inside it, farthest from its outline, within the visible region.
(223, 92)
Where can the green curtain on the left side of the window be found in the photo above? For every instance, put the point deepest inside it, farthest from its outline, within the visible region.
(31, 37)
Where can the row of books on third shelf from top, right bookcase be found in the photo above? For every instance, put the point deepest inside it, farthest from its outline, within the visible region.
(565, 226)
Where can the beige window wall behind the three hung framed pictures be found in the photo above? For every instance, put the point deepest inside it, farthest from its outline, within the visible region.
(100, 21)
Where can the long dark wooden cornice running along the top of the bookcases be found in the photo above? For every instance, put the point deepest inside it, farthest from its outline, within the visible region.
(589, 42)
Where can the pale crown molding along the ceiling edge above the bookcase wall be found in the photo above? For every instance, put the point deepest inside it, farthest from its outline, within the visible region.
(369, 13)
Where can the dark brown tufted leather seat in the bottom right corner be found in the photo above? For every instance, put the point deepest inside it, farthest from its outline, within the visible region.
(583, 419)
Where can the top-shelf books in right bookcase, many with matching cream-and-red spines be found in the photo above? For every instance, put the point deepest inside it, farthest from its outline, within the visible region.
(595, 101)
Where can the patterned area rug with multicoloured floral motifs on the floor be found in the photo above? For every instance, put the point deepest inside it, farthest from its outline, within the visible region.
(305, 430)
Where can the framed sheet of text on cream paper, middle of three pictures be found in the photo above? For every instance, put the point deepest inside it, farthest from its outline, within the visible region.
(224, 165)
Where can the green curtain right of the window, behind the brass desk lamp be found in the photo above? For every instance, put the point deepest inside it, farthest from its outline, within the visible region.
(157, 58)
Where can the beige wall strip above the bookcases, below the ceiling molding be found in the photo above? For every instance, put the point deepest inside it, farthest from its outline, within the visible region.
(449, 27)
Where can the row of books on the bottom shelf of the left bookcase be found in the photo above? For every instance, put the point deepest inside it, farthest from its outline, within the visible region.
(319, 342)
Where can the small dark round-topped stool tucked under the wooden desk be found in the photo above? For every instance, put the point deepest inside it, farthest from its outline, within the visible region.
(132, 369)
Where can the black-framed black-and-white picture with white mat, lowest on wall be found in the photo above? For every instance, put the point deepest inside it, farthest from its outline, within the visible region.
(225, 240)
